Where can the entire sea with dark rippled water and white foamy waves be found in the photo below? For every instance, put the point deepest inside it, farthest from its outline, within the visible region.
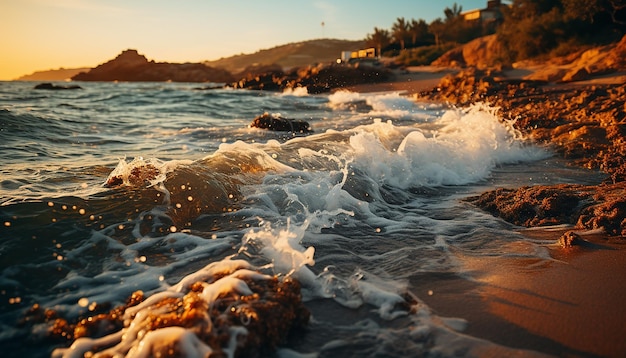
(364, 212)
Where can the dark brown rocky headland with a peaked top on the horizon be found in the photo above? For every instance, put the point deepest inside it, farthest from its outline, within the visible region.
(132, 66)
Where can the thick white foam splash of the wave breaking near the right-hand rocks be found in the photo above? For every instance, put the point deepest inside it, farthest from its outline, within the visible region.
(466, 147)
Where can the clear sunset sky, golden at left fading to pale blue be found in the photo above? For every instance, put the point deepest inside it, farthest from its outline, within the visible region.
(38, 35)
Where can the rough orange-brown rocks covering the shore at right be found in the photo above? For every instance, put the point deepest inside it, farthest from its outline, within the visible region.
(584, 123)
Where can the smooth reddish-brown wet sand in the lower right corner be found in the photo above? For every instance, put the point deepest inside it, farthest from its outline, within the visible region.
(570, 307)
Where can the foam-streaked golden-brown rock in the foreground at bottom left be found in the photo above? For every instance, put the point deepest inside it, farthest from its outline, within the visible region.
(232, 309)
